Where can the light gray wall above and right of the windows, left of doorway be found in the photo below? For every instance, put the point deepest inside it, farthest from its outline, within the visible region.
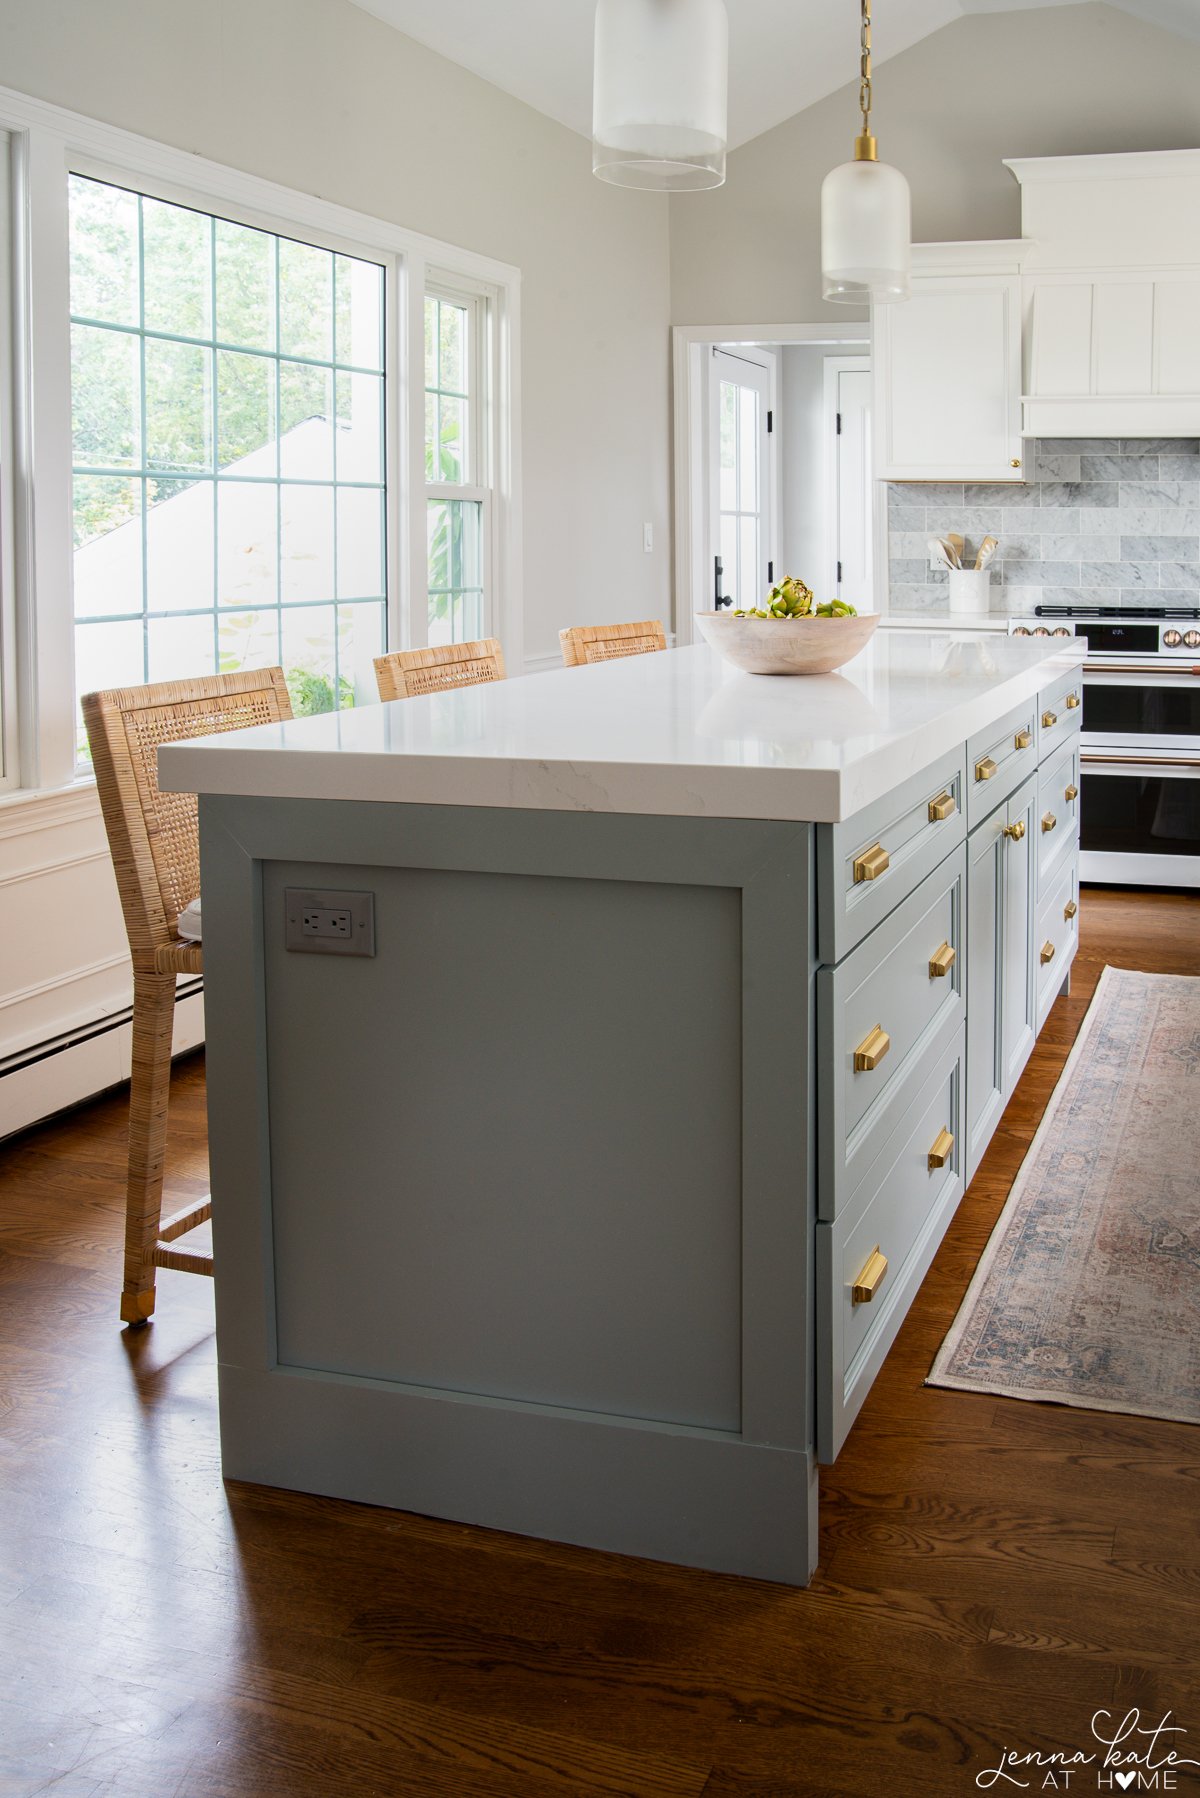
(328, 100)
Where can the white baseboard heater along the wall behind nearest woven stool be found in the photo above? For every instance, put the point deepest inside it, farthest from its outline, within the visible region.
(58, 1076)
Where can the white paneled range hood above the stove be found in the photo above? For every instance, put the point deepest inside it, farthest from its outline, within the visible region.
(1111, 294)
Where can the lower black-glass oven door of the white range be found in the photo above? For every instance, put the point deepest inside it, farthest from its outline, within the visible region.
(1140, 817)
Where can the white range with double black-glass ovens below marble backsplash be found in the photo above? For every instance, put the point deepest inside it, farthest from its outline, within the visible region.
(1140, 754)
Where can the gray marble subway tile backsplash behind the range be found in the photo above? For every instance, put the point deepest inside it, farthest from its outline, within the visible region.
(1100, 522)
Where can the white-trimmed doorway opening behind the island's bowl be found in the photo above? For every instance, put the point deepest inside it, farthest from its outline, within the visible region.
(773, 468)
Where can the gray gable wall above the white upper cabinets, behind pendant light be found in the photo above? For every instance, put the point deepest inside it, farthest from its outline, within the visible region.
(1028, 84)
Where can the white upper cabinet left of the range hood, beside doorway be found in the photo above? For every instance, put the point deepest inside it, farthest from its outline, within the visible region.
(947, 368)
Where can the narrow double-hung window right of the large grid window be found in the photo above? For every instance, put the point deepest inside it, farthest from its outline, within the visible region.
(458, 465)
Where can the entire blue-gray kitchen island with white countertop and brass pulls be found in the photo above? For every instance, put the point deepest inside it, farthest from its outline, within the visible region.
(582, 1179)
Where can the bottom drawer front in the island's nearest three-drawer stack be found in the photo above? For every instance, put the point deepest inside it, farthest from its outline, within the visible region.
(909, 1197)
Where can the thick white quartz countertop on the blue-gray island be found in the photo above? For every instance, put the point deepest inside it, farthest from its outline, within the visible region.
(676, 734)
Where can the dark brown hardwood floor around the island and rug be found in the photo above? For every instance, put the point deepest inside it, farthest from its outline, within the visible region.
(992, 1572)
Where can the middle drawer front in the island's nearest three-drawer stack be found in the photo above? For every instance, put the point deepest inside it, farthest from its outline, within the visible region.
(890, 1006)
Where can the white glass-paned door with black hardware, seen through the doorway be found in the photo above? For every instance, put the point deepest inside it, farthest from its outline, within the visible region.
(740, 418)
